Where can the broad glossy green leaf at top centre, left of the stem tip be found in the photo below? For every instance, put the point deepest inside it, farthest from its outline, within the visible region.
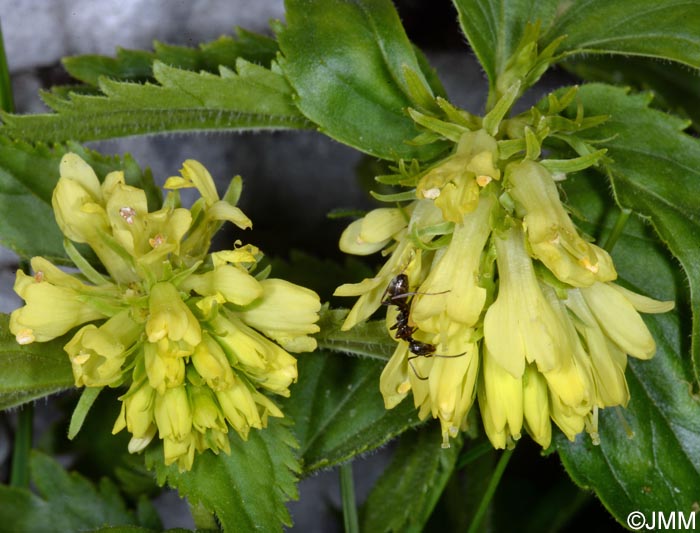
(346, 62)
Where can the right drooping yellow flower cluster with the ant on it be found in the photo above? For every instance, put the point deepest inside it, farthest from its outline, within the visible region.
(508, 304)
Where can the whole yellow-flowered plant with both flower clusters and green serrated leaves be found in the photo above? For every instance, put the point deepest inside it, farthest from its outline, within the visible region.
(534, 278)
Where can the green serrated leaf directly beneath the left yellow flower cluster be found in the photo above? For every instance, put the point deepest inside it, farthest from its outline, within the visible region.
(247, 490)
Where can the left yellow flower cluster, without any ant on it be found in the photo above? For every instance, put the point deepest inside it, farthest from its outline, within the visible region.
(196, 336)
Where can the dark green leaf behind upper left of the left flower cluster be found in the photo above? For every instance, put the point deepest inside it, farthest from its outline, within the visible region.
(28, 175)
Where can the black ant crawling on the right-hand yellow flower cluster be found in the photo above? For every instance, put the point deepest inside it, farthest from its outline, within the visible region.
(397, 294)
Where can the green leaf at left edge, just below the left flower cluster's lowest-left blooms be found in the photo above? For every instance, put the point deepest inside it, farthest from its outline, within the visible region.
(31, 371)
